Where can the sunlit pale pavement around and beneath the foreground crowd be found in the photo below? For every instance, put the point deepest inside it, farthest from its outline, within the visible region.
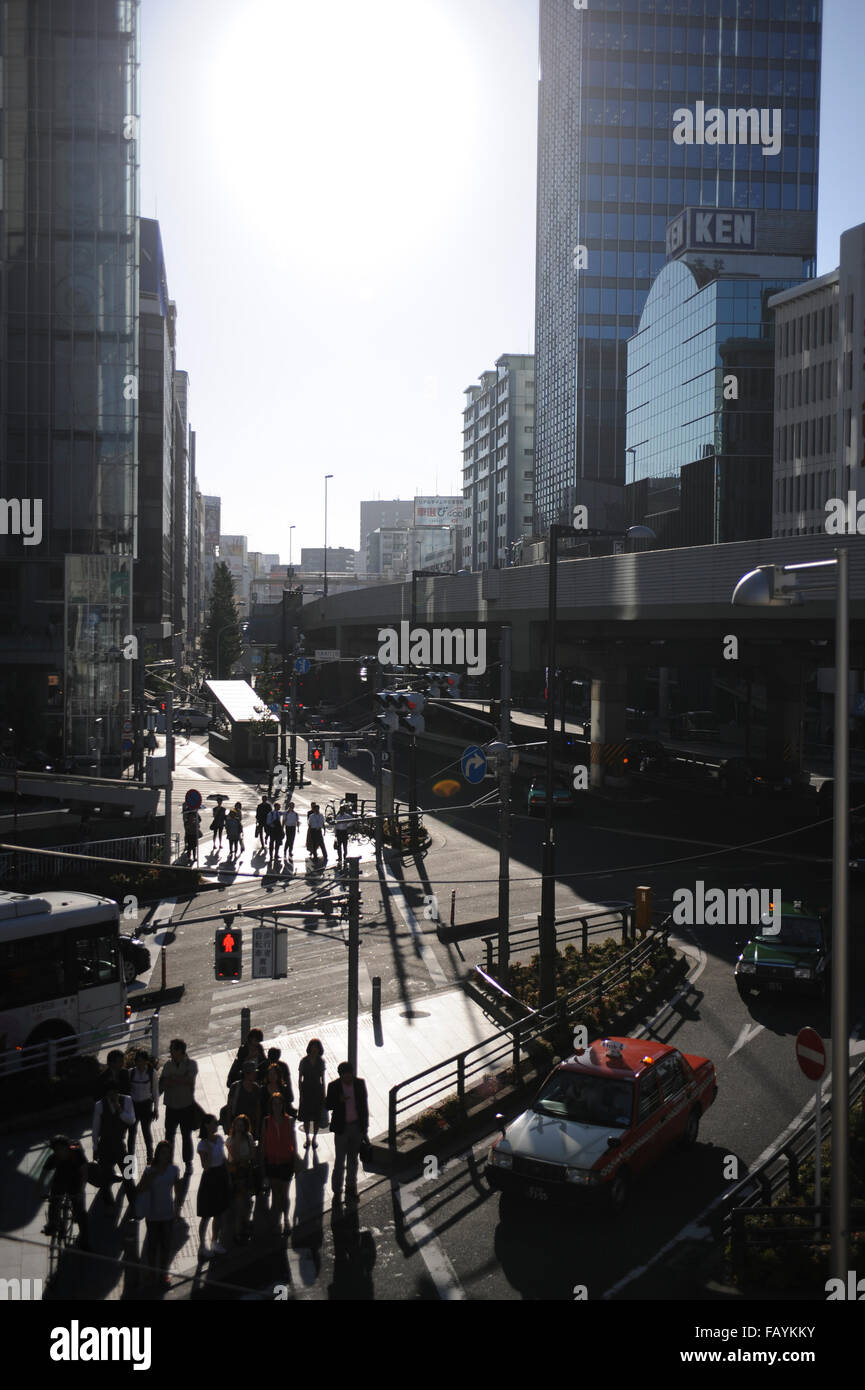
(411, 1040)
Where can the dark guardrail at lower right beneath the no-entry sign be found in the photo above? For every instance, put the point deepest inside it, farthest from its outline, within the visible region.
(753, 1197)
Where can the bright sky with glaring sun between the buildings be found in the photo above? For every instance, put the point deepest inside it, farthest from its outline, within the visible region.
(347, 199)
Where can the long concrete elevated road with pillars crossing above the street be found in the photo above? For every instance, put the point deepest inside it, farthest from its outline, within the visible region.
(657, 610)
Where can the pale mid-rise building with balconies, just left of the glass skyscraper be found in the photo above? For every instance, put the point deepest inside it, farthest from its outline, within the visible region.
(499, 464)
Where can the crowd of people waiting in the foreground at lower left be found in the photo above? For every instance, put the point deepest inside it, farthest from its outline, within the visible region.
(251, 1164)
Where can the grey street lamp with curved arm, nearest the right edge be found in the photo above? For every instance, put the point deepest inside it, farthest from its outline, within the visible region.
(768, 587)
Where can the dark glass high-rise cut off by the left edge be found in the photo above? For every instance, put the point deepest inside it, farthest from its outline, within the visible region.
(69, 327)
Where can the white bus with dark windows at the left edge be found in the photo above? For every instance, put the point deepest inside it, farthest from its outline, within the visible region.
(60, 967)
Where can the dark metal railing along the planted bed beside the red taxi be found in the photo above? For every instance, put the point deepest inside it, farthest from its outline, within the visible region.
(510, 1046)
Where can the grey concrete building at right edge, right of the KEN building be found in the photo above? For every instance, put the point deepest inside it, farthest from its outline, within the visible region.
(820, 395)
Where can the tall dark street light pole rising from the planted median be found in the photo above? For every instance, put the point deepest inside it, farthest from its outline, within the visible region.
(547, 921)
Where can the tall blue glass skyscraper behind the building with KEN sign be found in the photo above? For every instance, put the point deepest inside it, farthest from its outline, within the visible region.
(611, 177)
